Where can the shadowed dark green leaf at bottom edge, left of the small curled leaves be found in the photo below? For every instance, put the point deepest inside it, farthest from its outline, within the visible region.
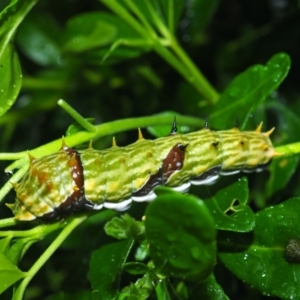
(105, 269)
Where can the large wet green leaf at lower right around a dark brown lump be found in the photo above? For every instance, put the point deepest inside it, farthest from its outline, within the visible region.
(258, 258)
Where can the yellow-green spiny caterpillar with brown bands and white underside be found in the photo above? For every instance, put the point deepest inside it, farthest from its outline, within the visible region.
(69, 181)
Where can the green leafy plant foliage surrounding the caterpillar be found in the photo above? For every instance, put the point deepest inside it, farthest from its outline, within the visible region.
(125, 64)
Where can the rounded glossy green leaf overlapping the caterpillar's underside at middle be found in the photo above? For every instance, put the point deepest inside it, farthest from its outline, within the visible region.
(181, 236)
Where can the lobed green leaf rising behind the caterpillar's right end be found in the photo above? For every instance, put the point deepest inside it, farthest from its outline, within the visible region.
(248, 90)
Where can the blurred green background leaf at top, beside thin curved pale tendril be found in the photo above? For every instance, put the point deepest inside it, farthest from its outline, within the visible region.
(98, 29)
